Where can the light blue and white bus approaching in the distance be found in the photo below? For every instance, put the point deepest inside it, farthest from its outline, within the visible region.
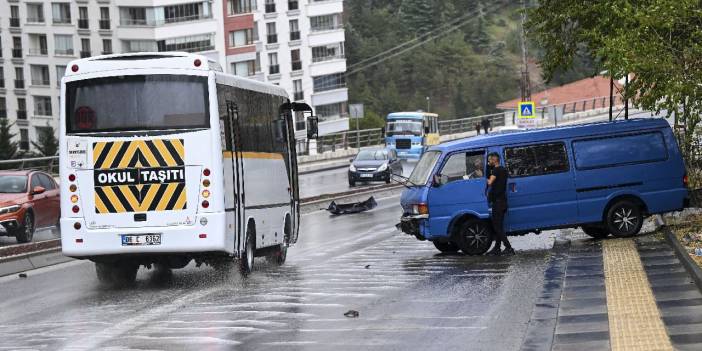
(410, 133)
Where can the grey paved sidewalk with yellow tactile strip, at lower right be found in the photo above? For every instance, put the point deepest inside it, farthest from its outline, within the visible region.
(618, 294)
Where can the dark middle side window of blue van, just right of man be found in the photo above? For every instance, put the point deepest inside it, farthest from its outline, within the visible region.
(531, 160)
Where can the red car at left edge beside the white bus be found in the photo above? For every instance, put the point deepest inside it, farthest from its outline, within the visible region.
(29, 200)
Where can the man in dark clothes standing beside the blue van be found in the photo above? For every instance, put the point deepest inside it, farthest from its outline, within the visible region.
(497, 197)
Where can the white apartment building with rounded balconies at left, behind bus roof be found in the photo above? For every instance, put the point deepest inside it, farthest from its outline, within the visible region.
(38, 38)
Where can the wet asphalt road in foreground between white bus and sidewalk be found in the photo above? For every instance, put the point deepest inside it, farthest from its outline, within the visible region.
(408, 295)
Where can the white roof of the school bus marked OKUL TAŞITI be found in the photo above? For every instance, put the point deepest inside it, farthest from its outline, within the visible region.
(167, 60)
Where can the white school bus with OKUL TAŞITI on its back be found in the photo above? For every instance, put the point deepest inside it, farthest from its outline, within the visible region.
(164, 159)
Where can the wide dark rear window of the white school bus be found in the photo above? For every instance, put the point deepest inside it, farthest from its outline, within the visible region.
(136, 103)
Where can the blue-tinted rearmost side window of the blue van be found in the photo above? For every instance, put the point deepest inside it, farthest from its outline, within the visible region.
(624, 149)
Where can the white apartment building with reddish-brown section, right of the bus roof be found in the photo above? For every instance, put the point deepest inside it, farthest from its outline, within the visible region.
(297, 44)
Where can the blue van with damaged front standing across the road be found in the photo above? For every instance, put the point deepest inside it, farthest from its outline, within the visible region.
(603, 177)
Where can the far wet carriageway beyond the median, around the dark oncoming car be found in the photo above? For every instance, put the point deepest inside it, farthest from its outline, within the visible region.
(336, 181)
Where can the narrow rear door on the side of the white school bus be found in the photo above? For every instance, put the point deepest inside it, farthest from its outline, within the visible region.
(232, 134)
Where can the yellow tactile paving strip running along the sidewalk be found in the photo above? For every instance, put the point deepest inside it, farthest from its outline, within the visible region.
(634, 320)
